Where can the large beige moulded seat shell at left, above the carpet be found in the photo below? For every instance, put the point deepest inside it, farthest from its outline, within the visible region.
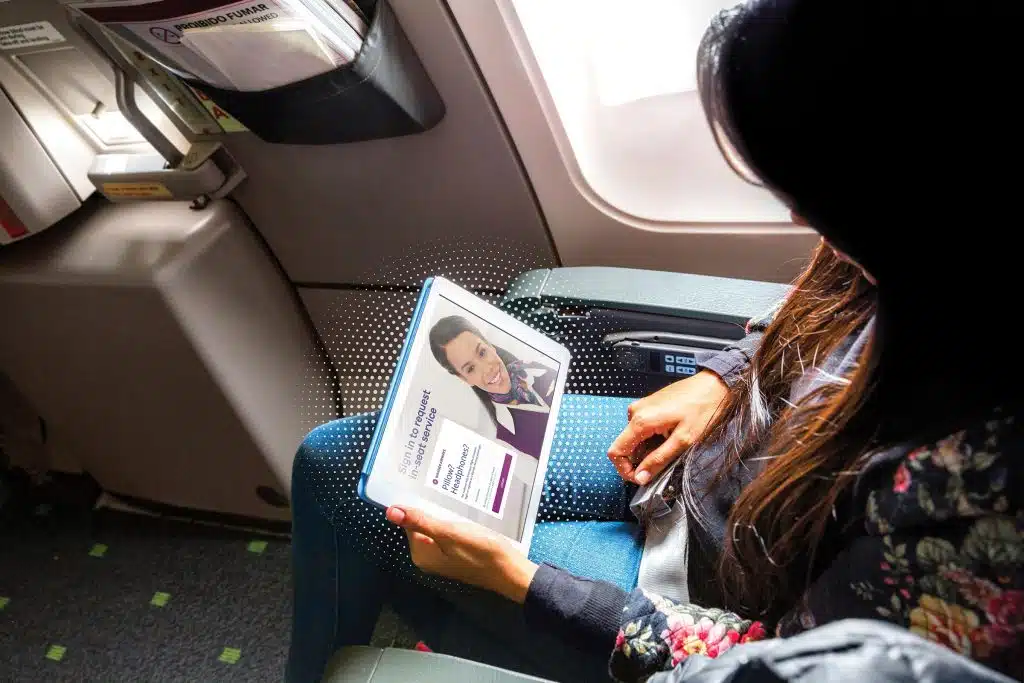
(166, 353)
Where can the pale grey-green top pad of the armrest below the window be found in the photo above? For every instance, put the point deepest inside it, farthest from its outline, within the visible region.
(673, 294)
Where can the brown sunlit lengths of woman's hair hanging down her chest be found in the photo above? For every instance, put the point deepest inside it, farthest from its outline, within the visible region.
(786, 508)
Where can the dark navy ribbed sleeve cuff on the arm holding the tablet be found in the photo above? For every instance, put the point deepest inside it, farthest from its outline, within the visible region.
(584, 611)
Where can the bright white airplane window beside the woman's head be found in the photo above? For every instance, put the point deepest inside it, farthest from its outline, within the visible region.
(623, 81)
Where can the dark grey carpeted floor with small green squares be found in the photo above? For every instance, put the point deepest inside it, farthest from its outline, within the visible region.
(115, 597)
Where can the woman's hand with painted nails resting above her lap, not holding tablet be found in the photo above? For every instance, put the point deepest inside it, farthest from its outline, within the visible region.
(680, 413)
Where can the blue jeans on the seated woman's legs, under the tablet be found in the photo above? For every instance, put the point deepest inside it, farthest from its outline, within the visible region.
(349, 561)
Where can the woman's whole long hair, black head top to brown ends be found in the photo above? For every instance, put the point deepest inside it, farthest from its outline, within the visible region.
(838, 108)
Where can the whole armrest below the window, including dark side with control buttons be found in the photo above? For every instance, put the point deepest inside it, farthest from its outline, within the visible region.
(632, 332)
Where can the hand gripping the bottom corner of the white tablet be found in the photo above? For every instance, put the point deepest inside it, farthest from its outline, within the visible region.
(465, 552)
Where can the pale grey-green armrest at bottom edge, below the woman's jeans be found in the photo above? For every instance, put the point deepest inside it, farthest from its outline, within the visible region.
(372, 665)
